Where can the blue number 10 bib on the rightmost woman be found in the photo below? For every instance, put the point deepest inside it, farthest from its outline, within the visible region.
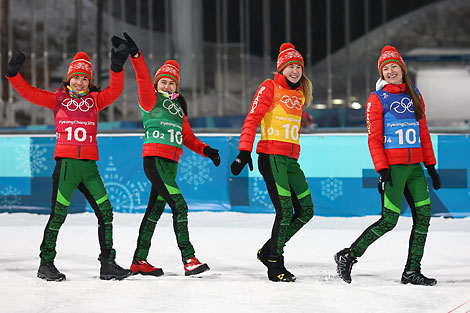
(401, 129)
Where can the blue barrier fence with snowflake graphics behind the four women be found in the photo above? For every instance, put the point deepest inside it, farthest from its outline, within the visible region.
(338, 168)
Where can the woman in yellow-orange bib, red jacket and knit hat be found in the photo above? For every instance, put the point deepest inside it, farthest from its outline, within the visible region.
(278, 104)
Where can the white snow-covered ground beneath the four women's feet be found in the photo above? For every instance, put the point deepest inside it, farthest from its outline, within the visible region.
(237, 281)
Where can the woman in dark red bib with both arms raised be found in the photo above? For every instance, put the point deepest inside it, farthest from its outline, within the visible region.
(76, 108)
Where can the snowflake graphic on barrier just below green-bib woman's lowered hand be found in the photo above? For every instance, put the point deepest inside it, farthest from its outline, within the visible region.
(195, 171)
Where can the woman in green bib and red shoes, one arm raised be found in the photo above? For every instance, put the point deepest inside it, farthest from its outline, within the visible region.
(166, 129)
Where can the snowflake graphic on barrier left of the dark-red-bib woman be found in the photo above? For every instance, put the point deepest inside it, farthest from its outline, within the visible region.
(35, 154)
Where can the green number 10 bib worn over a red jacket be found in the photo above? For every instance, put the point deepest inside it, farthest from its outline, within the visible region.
(164, 122)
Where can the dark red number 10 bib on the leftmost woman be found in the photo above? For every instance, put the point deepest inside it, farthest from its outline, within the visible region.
(76, 119)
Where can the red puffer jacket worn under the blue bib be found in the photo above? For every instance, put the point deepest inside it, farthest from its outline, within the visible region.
(383, 158)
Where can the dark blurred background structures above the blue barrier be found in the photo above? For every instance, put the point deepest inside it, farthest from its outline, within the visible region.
(226, 48)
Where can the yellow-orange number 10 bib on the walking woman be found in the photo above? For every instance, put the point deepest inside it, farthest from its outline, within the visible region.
(282, 121)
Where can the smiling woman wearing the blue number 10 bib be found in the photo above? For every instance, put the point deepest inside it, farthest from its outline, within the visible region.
(399, 141)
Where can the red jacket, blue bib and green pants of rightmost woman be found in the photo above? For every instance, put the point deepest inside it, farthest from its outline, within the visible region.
(399, 142)
